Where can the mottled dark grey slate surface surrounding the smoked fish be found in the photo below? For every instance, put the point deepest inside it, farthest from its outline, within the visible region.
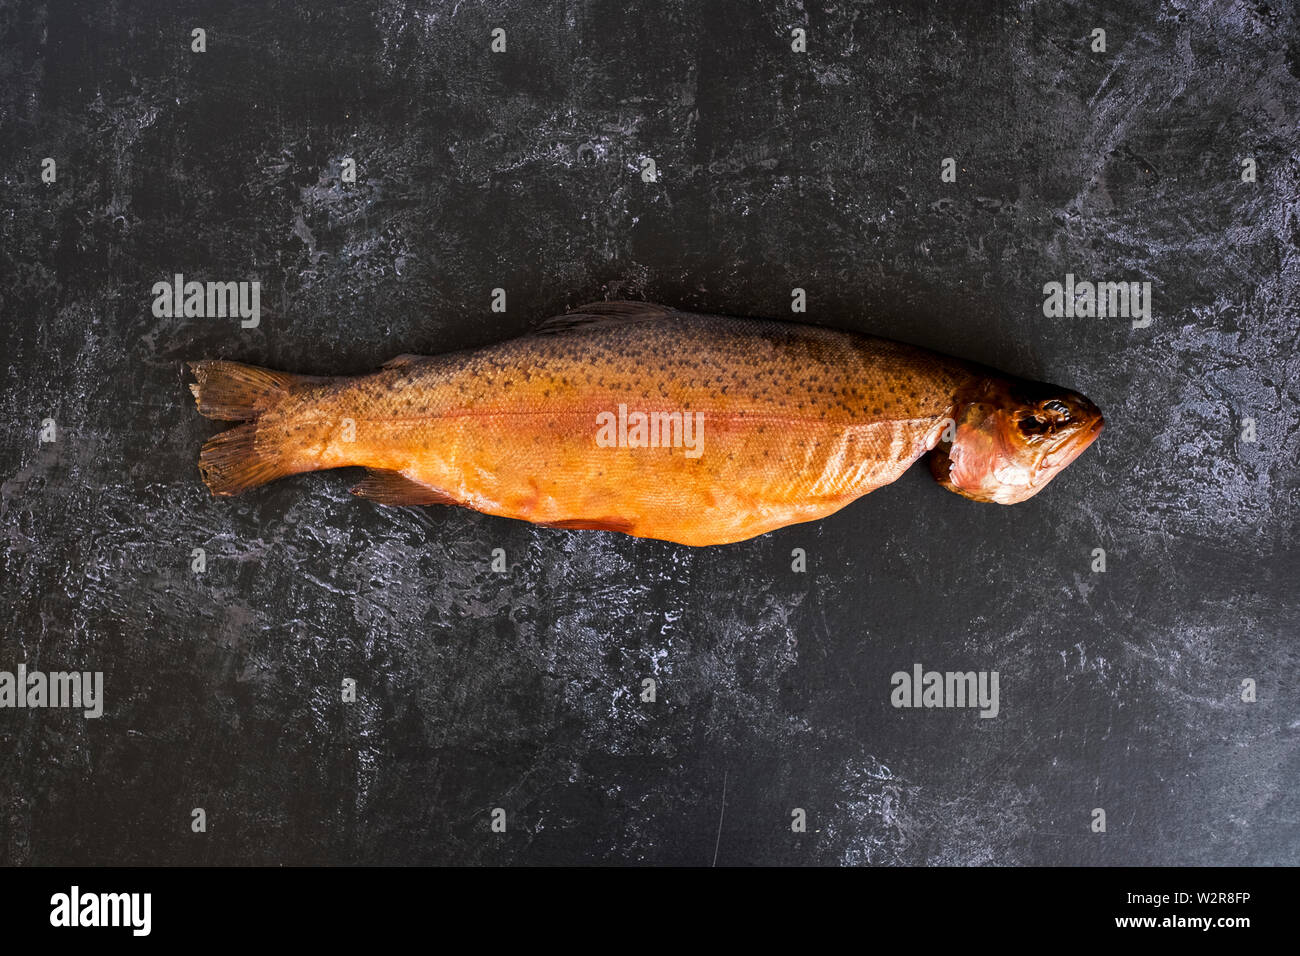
(777, 170)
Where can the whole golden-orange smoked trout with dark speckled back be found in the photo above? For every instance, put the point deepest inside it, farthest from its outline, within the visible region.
(657, 423)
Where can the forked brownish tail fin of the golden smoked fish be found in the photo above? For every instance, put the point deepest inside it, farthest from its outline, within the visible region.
(240, 458)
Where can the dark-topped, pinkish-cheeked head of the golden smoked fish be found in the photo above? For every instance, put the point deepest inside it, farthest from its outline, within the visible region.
(1012, 438)
